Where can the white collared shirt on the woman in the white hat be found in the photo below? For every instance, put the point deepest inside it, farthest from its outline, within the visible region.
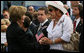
(56, 32)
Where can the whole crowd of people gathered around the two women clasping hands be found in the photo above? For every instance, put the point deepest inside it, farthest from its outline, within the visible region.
(43, 30)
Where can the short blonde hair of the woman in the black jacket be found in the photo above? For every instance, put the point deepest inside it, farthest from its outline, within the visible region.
(16, 12)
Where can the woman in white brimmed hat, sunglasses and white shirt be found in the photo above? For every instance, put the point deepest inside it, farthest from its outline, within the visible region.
(60, 28)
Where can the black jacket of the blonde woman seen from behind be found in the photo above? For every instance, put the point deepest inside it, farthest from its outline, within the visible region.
(19, 40)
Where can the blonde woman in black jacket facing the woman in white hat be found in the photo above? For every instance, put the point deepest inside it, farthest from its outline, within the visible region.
(19, 36)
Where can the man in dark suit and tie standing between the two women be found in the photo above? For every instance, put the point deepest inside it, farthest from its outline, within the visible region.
(42, 18)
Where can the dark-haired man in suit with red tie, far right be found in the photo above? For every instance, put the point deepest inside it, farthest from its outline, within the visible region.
(77, 21)
